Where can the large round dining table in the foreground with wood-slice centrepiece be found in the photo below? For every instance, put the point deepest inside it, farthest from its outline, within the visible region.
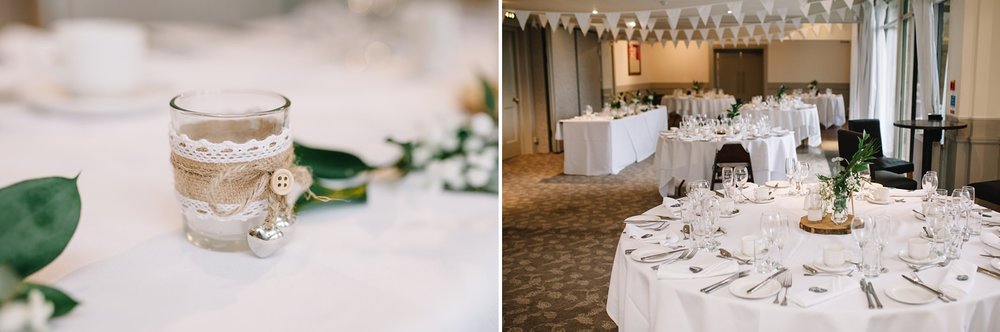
(640, 301)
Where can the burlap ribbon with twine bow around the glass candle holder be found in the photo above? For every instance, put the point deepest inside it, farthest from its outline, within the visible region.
(240, 183)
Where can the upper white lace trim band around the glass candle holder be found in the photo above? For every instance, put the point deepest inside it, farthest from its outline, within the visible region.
(229, 152)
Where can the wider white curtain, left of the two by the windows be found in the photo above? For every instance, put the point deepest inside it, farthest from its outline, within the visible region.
(873, 82)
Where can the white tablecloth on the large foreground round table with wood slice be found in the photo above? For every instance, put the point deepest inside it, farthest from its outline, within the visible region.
(638, 301)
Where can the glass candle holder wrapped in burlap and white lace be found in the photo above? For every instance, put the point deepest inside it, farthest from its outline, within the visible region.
(220, 131)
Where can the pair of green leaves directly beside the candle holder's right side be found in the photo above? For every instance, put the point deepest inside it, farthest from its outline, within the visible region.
(348, 171)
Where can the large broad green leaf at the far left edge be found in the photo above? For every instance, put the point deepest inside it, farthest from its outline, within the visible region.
(38, 219)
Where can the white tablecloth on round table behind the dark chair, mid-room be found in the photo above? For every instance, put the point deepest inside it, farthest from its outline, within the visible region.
(678, 159)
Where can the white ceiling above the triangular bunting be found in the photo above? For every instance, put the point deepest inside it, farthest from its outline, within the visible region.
(689, 9)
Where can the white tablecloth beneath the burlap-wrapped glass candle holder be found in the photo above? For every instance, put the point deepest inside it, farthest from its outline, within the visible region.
(410, 259)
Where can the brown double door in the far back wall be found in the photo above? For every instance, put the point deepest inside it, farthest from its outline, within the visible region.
(740, 72)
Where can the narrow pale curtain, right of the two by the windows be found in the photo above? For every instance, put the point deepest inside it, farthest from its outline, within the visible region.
(925, 23)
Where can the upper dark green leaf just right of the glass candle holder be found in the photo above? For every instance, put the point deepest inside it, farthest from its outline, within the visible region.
(330, 164)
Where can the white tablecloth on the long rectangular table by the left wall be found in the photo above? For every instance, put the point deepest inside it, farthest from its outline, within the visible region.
(600, 146)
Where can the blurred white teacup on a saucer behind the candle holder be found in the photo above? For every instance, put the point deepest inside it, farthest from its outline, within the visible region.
(99, 57)
